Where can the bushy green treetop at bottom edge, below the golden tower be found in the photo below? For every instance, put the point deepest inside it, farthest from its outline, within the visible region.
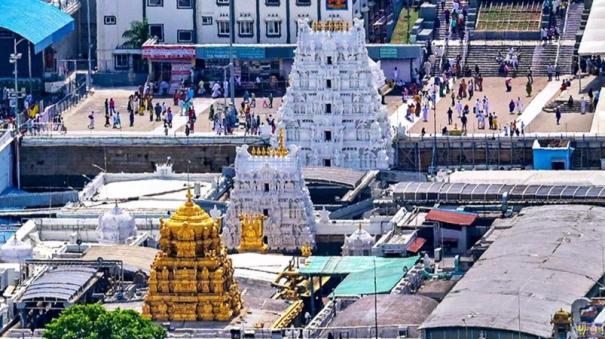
(92, 321)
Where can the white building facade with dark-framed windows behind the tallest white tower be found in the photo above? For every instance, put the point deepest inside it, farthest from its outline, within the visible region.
(205, 22)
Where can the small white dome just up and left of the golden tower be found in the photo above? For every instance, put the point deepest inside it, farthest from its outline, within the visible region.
(115, 227)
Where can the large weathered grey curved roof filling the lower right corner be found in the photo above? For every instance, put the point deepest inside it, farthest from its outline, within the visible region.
(548, 257)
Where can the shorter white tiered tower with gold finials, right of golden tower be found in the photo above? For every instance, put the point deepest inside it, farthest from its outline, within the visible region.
(270, 182)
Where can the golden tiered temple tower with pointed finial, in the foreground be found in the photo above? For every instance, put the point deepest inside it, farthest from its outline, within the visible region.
(191, 278)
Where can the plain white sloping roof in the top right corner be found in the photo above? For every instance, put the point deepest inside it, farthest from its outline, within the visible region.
(593, 39)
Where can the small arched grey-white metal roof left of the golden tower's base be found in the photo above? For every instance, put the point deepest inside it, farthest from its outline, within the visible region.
(61, 283)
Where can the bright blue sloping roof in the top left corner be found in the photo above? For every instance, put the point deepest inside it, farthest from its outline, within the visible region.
(37, 21)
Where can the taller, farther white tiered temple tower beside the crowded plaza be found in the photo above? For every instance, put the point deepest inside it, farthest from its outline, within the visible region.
(332, 109)
